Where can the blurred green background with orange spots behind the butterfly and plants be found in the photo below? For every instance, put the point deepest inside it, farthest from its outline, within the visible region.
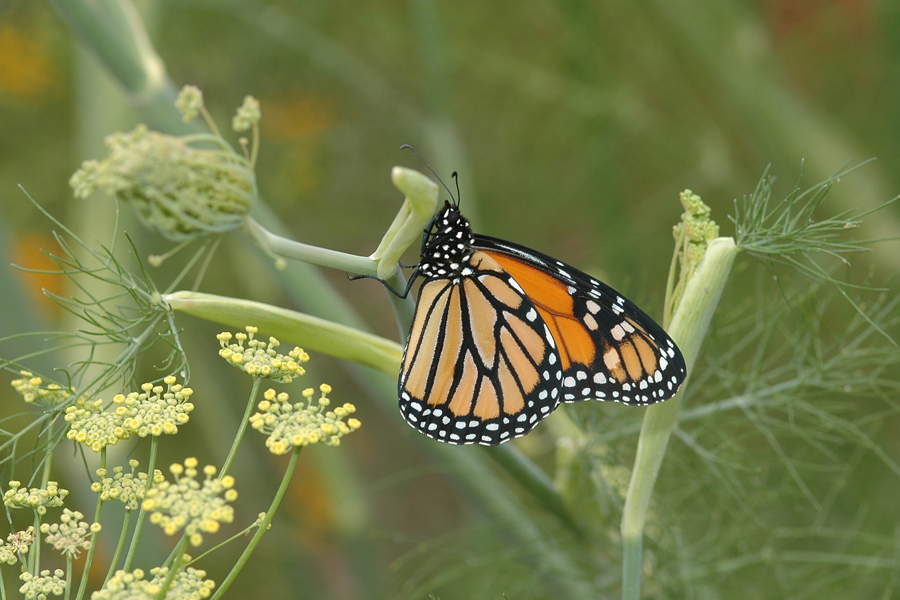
(573, 127)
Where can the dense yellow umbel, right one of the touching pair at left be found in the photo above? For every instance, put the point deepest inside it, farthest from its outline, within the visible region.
(156, 410)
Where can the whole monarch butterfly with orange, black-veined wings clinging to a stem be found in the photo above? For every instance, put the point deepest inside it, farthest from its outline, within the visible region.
(502, 334)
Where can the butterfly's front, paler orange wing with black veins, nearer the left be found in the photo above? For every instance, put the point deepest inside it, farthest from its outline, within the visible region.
(480, 364)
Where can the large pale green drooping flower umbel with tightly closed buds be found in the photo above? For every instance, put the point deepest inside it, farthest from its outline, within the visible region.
(179, 189)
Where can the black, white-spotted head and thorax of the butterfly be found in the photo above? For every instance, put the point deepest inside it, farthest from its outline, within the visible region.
(447, 246)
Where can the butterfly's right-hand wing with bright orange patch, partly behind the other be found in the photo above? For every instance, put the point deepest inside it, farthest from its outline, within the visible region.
(609, 348)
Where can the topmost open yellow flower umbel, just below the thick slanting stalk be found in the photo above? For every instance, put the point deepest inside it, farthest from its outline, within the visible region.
(259, 359)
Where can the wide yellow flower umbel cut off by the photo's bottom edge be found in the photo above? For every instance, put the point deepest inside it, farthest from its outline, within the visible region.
(189, 584)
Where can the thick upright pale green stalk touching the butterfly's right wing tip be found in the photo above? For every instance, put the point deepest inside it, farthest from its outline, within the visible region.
(688, 328)
